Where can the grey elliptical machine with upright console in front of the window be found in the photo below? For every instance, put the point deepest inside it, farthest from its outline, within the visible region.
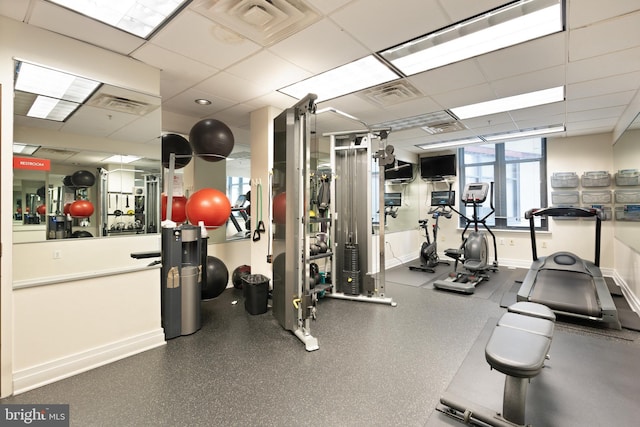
(473, 253)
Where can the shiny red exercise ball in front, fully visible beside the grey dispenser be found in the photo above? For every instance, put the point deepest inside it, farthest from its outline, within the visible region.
(210, 206)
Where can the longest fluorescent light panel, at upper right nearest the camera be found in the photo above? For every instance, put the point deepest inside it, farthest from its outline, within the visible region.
(510, 25)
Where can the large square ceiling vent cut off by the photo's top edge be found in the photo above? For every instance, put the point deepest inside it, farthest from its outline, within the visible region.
(264, 21)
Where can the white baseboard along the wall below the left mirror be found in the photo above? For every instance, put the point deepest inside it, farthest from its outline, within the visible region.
(47, 373)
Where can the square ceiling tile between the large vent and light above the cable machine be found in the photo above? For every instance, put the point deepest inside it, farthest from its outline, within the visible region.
(314, 48)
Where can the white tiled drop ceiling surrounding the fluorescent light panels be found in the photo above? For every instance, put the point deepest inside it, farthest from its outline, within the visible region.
(224, 51)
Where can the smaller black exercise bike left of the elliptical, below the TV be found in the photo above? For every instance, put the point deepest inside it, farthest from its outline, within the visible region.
(429, 258)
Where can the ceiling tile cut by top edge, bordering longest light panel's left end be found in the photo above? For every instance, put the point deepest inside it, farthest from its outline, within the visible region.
(382, 24)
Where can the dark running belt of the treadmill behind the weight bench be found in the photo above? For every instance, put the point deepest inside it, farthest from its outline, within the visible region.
(566, 291)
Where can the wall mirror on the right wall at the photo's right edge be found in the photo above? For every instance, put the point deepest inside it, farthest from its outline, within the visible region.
(626, 155)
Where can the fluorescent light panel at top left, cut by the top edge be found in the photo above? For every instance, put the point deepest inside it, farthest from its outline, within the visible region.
(137, 17)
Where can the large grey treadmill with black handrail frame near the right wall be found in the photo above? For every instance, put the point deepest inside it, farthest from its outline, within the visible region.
(566, 283)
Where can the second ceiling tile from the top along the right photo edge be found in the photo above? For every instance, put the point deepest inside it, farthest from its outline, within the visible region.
(604, 37)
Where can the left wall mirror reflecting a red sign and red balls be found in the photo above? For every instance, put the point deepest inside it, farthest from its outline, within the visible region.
(81, 140)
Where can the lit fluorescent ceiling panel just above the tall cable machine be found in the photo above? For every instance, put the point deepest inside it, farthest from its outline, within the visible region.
(348, 78)
